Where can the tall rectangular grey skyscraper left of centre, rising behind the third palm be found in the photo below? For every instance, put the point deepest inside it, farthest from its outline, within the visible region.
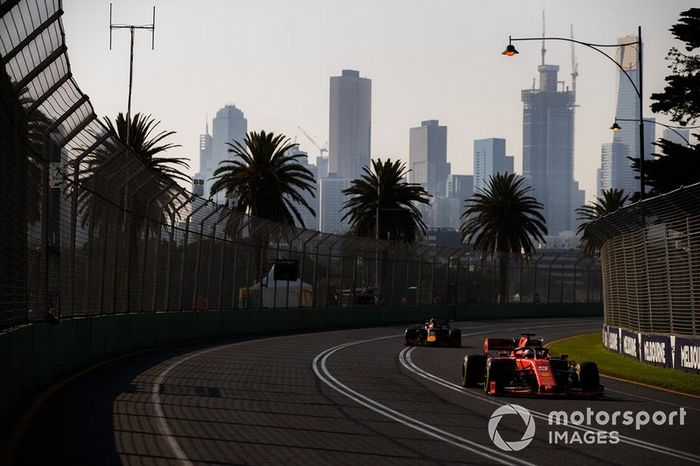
(350, 124)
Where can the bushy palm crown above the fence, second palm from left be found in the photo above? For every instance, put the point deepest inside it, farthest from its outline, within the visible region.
(265, 178)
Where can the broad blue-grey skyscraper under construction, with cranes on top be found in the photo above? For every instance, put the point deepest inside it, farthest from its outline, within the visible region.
(548, 149)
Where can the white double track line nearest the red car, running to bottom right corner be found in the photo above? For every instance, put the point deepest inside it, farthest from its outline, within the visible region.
(405, 358)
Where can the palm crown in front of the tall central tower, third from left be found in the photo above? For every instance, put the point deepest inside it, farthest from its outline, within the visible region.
(384, 191)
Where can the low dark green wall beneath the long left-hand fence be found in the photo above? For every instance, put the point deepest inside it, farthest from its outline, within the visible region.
(34, 356)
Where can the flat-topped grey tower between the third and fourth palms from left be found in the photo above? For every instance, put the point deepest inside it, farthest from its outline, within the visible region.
(428, 156)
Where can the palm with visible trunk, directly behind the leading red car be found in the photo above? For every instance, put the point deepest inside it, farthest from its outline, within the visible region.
(503, 219)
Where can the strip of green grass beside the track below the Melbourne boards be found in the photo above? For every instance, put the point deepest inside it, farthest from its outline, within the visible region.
(589, 347)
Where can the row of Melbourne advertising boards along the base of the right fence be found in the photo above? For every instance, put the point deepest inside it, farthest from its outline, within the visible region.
(660, 350)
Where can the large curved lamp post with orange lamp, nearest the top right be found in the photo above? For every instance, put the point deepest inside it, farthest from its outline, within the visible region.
(511, 51)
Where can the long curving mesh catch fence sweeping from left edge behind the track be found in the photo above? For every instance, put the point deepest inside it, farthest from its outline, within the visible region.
(87, 229)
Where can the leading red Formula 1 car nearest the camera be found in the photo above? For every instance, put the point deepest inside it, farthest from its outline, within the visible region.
(524, 367)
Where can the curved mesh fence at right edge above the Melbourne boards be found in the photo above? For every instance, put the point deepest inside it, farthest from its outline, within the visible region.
(650, 259)
